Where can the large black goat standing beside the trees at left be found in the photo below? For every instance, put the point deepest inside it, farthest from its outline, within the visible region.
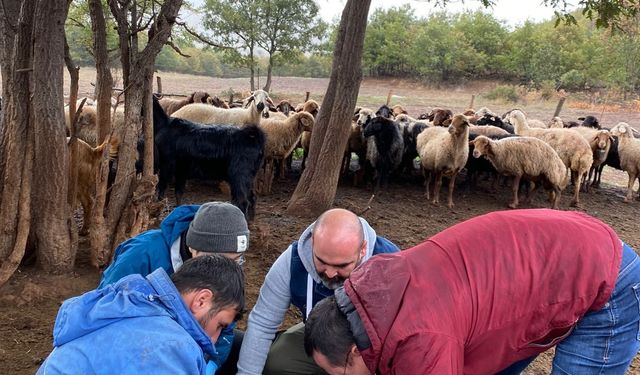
(188, 150)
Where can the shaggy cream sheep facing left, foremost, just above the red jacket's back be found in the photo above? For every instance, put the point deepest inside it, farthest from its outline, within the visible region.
(525, 157)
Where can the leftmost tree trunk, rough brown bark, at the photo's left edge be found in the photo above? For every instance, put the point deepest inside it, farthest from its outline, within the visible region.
(17, 145)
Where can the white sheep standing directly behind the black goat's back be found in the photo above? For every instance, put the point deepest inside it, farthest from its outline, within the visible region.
(207, 114)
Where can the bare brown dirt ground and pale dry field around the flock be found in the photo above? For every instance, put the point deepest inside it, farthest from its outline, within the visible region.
(28, 304)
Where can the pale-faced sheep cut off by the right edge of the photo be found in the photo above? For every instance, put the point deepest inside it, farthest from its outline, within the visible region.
(629, 150)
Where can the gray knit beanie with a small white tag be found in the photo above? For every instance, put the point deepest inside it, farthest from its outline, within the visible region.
(218, 227)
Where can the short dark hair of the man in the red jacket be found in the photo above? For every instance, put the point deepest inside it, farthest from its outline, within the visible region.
(328, 332)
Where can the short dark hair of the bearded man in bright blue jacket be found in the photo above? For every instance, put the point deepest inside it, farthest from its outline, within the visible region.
(217, 273)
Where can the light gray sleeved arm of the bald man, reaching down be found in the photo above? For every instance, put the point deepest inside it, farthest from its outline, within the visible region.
(266, 317)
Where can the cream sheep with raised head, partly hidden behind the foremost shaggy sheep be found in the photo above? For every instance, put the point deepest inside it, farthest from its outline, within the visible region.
(572, 148)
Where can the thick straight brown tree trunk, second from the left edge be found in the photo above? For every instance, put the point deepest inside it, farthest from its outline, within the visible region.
(51, 216)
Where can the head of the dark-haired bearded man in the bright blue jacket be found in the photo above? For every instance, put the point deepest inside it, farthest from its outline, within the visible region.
(212, 287)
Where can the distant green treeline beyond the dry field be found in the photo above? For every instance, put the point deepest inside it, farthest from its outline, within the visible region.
(446, 48)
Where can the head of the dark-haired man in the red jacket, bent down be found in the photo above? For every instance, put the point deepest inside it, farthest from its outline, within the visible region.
(328, 339)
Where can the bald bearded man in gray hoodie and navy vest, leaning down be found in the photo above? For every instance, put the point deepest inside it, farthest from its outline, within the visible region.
(306, 273)
